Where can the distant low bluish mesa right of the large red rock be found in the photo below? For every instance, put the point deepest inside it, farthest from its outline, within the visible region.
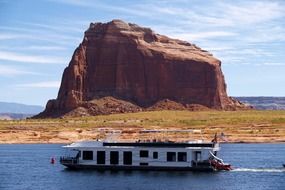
(264, 102)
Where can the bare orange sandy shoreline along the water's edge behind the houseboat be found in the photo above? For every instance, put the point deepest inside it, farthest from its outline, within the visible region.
(27, 136)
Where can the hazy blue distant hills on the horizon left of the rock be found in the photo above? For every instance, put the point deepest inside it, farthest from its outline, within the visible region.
(10, 110)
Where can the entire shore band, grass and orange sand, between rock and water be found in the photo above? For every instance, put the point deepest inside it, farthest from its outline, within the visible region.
(246, 126)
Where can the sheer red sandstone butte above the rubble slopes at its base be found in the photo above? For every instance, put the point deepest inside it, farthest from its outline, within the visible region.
(134, 64)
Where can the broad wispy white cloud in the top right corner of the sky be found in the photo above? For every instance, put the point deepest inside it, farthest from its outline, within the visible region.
(235, 15)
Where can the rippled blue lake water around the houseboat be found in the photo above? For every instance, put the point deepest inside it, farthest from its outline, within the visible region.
(258, 166)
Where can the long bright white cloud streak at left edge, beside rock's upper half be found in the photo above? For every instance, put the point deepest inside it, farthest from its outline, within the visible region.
(11, 56)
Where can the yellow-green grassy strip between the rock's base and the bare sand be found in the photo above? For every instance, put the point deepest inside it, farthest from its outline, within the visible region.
(161, 118)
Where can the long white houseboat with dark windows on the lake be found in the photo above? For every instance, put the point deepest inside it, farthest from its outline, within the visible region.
(145, 155)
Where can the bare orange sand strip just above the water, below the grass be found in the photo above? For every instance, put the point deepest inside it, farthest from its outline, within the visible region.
(65, 137)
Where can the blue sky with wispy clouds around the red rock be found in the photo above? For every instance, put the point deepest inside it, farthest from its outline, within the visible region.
(38, 38)
